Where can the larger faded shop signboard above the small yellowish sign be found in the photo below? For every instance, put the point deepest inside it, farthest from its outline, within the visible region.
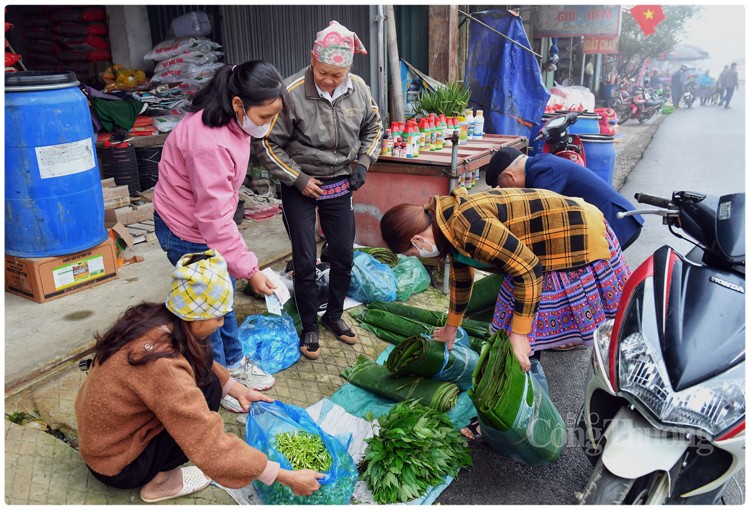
(577, 21)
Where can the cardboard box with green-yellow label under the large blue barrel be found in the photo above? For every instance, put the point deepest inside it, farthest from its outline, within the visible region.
(48, 278)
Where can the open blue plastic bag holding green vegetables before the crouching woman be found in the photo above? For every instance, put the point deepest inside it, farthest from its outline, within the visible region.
(264, 421)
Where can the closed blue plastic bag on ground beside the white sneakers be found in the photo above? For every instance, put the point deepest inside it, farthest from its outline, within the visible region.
(270, 340)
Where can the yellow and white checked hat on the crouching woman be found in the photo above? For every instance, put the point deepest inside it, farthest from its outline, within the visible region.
(201, 287)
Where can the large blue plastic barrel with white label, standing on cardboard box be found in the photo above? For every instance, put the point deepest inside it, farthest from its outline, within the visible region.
(53, 192)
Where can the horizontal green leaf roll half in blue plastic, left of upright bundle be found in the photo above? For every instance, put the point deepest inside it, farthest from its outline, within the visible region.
(430, 358)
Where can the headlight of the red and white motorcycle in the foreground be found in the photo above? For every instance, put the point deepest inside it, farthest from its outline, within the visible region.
(711, 406)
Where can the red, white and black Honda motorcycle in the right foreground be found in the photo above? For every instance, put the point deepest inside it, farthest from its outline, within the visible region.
(664, 412)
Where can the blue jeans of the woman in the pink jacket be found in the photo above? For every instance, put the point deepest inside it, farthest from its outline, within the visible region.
(225, 343)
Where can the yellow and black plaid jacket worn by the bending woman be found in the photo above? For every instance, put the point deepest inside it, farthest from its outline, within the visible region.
(521, 233)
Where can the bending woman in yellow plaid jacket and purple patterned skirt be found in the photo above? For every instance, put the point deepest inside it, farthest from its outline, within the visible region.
(563, 264)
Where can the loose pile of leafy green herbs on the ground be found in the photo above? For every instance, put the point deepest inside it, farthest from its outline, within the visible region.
(415, 449)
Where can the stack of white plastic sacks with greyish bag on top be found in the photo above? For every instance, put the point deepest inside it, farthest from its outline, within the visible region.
(189, 58)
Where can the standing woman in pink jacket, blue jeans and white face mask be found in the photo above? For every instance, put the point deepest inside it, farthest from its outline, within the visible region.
(204, 162)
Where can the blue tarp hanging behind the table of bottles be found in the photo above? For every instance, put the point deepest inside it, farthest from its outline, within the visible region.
(505, 80)
